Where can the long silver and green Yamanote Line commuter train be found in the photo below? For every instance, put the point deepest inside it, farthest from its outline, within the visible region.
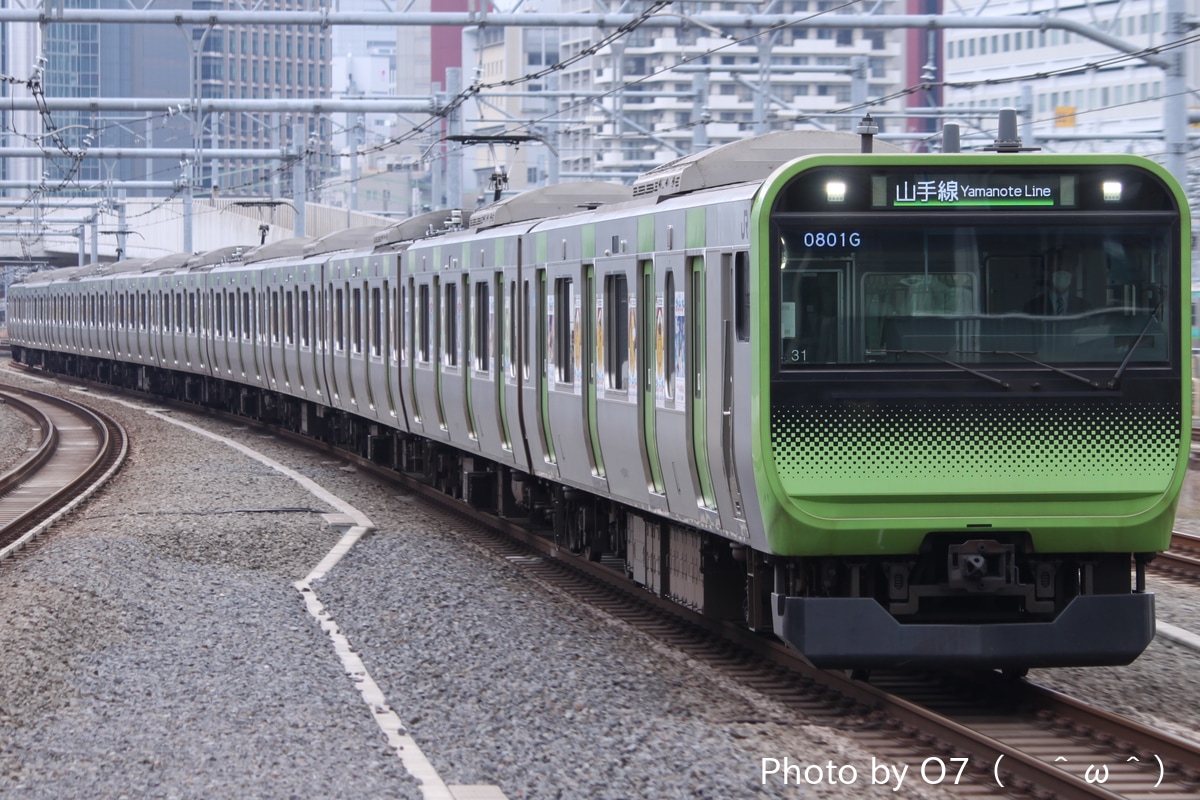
(897, 410)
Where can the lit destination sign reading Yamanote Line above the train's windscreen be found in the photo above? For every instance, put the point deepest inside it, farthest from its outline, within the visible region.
(974, 191)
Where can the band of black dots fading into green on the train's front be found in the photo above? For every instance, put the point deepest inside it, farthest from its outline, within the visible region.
(927, 441)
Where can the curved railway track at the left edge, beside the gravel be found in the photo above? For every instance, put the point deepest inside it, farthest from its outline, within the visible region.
(77, 453)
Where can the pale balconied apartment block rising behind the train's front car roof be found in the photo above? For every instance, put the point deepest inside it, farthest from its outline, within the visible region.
(631, 105)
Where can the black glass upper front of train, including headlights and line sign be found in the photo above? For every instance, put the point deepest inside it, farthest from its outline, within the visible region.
(1005, 279)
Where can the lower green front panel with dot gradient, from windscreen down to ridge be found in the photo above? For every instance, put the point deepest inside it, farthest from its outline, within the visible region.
(982, 449)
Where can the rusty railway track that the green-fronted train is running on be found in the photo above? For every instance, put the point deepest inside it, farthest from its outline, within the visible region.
(976, 736)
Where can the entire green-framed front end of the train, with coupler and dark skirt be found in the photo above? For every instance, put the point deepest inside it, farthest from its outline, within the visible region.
(953, 473)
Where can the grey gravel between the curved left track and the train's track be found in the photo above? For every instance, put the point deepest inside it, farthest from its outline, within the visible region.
(155, 646)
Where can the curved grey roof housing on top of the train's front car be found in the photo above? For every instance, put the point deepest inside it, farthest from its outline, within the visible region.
(749, 160)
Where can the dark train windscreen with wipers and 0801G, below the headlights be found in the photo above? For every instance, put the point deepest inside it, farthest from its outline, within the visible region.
(1016, 292)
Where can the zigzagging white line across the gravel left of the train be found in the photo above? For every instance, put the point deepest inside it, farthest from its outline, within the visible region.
(411, 756)
